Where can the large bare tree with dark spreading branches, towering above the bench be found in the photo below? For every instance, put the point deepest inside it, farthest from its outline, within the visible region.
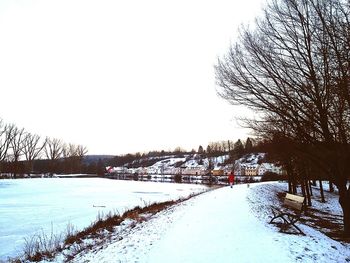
(293, 70)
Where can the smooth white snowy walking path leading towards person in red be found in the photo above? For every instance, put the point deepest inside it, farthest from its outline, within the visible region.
(231, 232)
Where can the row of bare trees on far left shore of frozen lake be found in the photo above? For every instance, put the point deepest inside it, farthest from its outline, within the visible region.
(21, 152)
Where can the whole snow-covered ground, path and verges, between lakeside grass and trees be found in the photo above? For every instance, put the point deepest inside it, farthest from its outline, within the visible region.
(223, 225)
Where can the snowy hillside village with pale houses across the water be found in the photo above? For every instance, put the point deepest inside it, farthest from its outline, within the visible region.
(193, 164)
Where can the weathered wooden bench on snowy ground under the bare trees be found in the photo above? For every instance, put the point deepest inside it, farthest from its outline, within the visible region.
(289, 217)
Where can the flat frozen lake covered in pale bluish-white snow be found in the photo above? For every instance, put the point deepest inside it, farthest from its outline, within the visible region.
(29, 206)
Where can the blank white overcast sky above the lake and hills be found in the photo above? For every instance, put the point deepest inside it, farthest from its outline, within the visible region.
(119, 76)
